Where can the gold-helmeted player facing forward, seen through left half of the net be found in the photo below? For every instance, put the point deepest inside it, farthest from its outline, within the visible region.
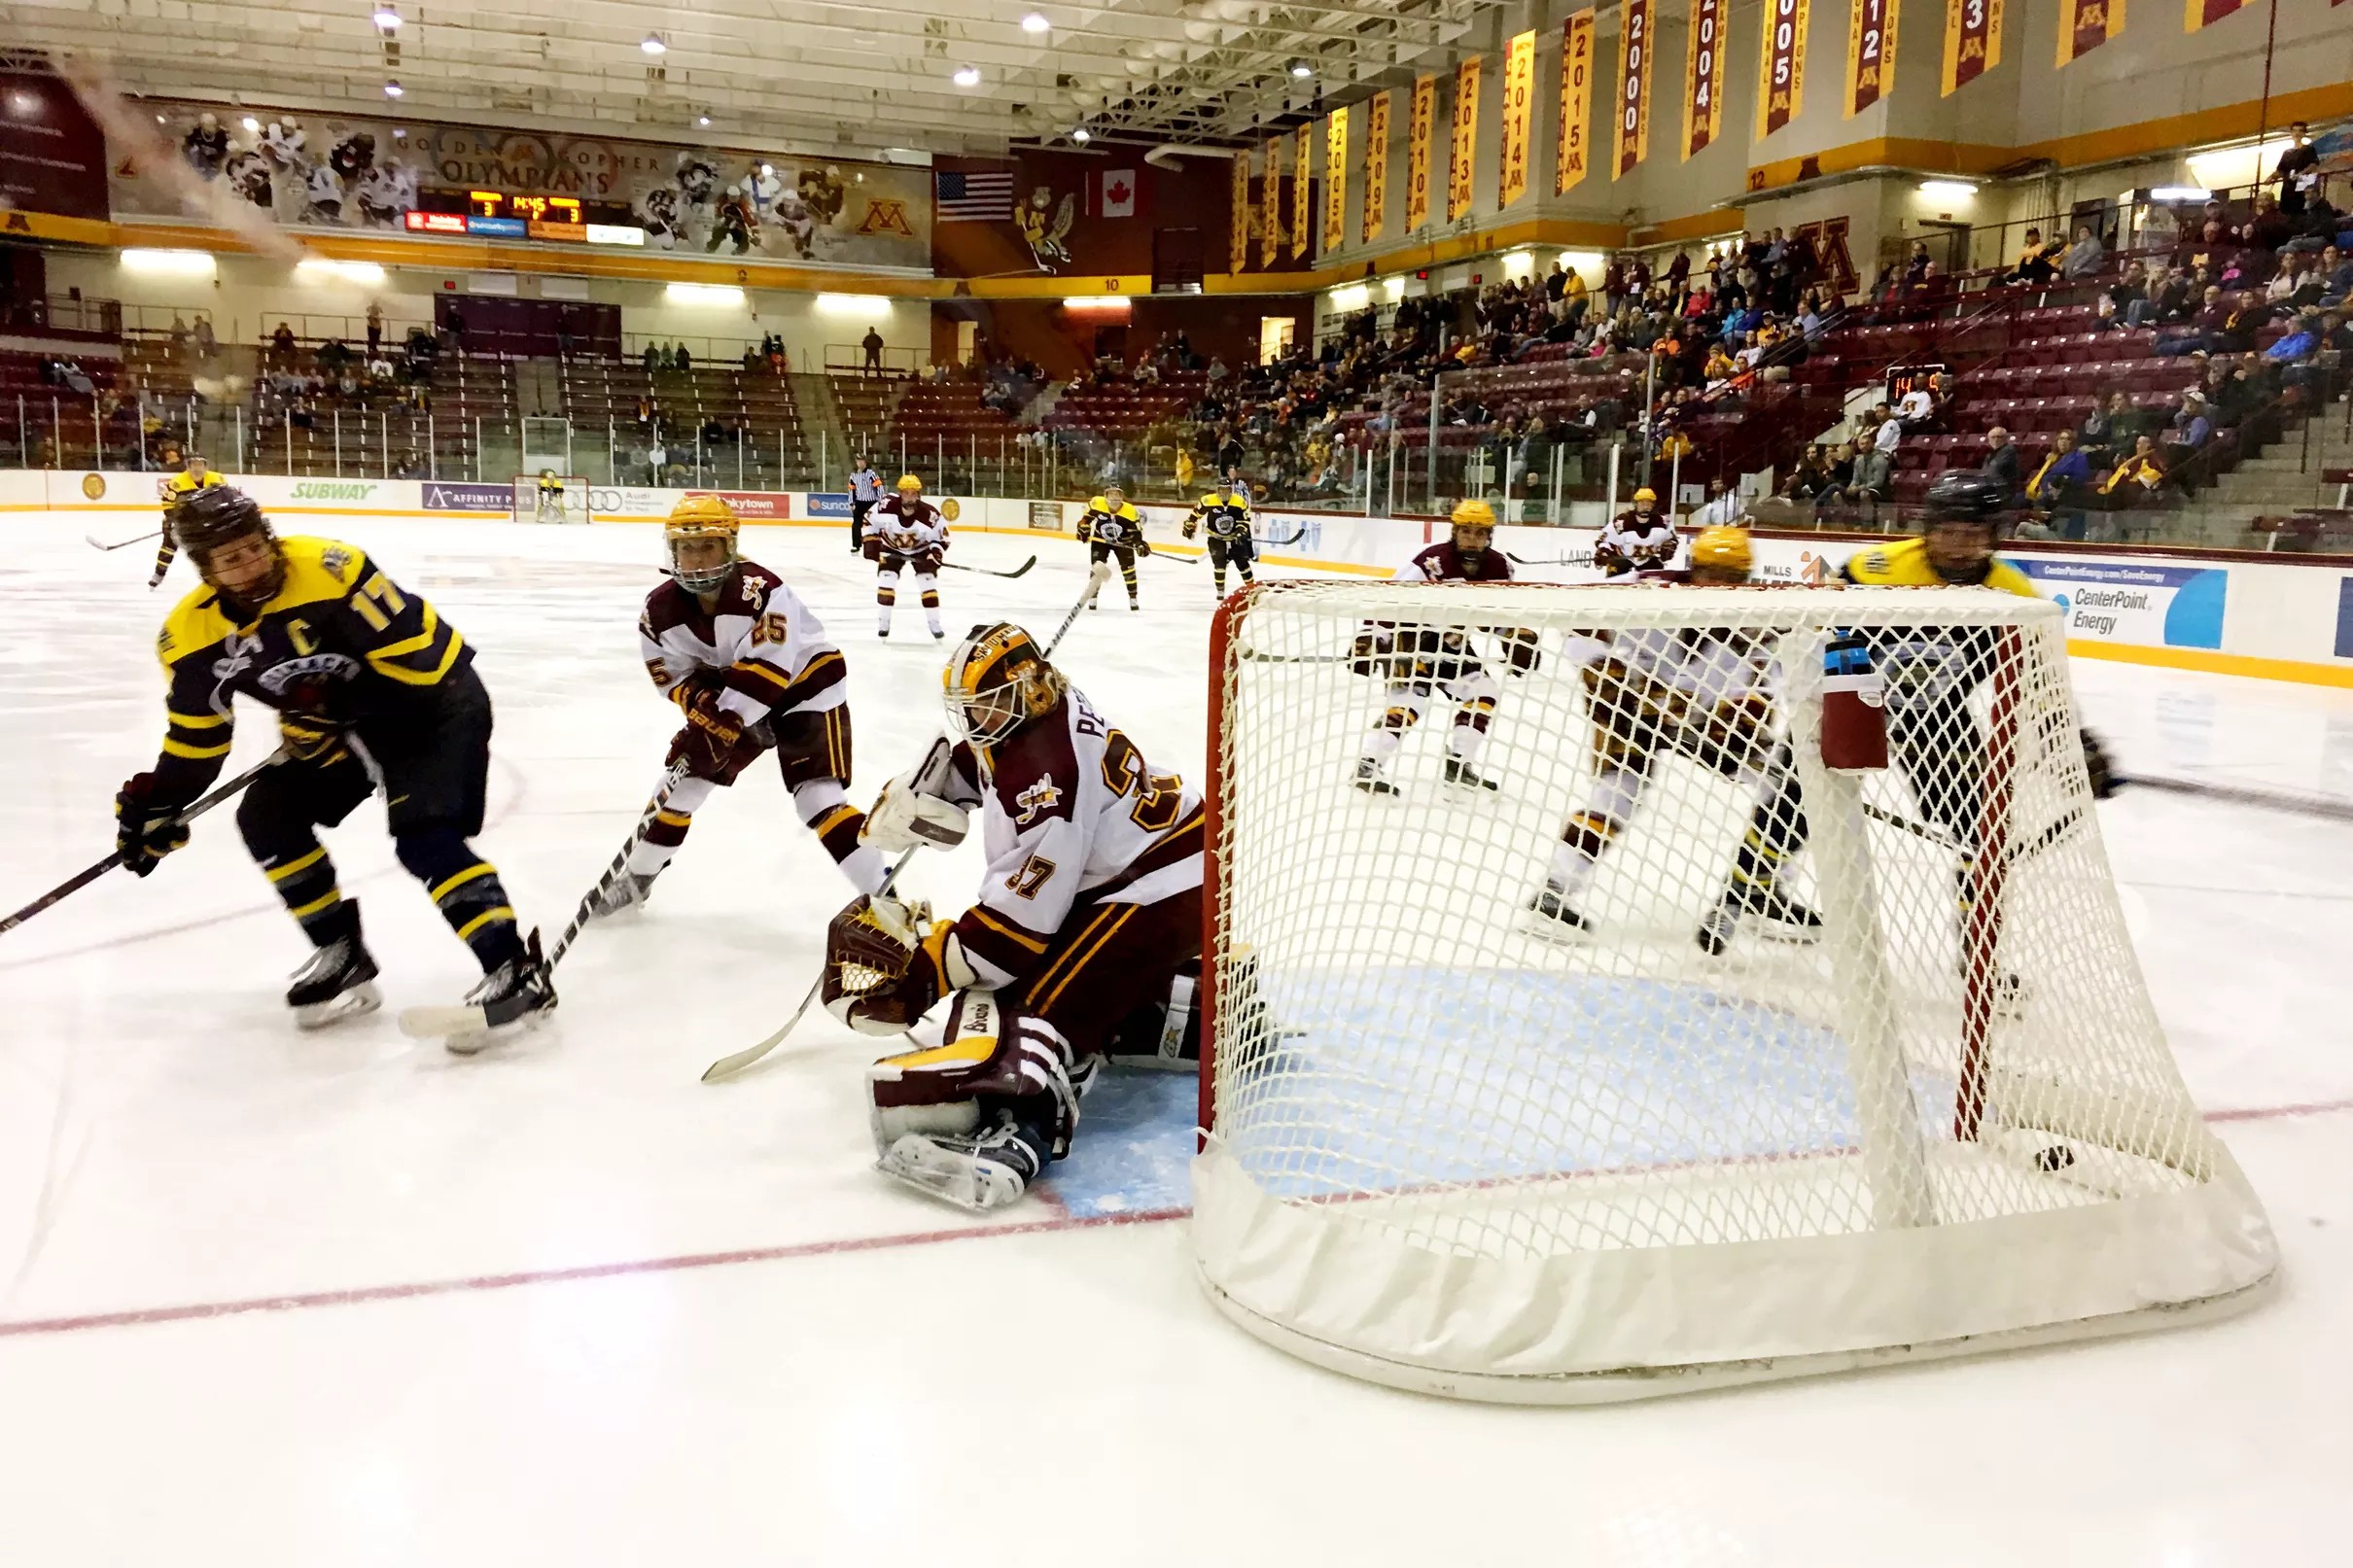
(1422, 664)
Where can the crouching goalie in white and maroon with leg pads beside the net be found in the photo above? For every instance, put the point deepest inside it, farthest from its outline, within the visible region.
(1088, 916)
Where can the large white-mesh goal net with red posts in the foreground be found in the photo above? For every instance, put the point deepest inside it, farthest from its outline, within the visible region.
(1460, 1146)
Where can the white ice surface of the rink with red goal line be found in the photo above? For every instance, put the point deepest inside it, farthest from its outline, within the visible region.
(347, 1299)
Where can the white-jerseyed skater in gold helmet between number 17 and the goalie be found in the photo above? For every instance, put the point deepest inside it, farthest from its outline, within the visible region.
(754, 671)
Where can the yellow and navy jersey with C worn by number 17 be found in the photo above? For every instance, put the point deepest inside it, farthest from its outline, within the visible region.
(340, 645)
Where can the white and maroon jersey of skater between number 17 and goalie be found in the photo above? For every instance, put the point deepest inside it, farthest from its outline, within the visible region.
(764, 645)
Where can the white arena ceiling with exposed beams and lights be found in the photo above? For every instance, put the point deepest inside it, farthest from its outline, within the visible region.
(796, 74)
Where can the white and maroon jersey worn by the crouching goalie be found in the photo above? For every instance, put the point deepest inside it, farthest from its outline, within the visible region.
(1072, 817)
